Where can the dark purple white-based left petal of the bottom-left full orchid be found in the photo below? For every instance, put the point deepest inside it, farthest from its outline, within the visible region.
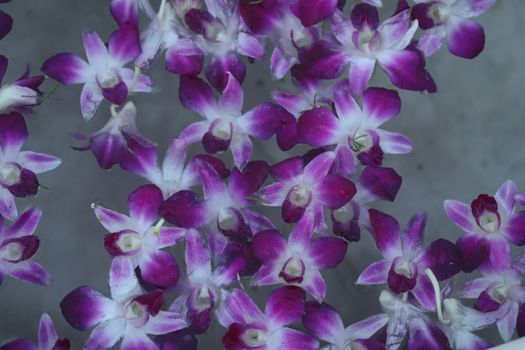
(84, 307)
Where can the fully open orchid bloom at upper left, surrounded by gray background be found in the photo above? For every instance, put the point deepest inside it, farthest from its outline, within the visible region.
(104, 75)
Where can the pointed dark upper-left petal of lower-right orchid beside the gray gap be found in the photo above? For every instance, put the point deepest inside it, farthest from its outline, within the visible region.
(385, 230)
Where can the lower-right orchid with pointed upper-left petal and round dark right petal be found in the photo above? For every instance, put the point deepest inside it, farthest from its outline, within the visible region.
(405, 258)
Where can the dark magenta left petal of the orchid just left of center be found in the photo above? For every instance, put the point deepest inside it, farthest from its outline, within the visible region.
(184, 209)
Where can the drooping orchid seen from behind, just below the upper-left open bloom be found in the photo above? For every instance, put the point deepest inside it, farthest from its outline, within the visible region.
(109, 145)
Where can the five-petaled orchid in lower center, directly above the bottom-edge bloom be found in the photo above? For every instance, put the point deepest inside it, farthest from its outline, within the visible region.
(298, 260)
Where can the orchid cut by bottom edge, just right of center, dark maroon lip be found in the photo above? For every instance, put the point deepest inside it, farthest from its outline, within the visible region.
(249, 328)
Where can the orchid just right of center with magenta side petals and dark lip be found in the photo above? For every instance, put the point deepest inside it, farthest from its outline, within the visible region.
(304, 190)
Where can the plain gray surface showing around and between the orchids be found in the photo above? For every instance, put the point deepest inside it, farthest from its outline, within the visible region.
(468, 139)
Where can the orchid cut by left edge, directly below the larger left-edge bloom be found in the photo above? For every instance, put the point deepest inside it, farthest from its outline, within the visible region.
(18, 245)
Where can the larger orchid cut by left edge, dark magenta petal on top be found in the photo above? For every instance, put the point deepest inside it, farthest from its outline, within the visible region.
(18, 169)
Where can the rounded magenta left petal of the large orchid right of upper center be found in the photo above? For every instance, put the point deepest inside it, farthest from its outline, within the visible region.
(318, 127)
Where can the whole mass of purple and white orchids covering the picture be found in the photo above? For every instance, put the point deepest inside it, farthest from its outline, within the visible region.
(215, 207)
